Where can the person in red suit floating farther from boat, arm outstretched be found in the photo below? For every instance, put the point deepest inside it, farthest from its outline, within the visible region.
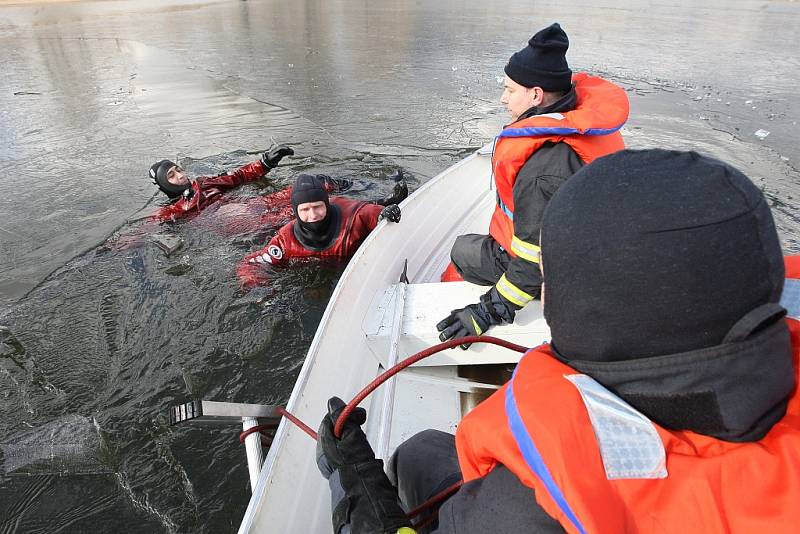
(188, 197)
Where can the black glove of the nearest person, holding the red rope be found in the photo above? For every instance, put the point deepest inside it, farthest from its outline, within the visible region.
(370, 503)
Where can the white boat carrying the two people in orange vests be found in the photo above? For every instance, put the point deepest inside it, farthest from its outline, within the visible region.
(372, 322)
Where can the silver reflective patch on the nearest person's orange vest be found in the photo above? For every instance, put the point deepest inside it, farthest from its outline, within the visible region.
(629, 444)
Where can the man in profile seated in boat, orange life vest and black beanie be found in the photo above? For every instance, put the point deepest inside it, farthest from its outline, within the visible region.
(559, 122)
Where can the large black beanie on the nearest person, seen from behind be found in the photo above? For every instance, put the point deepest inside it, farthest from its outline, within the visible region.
(655, 252)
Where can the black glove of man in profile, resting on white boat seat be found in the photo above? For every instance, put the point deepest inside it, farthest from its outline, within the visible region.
(476, 319)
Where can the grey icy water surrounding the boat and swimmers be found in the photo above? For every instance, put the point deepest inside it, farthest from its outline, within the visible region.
(100, 331)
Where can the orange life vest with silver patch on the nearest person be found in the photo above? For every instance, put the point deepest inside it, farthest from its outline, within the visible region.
(539, 426)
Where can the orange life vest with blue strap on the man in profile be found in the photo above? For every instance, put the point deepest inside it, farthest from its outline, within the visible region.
(591, 129)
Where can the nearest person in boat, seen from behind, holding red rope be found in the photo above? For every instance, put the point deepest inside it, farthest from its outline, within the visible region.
(667, 399)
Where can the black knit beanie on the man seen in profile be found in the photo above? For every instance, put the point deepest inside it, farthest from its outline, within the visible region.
(543, 63)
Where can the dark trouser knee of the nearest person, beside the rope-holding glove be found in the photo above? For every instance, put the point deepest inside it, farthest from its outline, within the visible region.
(421, 467)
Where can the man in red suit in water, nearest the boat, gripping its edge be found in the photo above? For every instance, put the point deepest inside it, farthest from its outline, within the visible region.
(324, 227)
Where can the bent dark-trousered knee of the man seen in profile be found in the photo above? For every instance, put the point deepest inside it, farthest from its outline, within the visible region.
(479, 259)
